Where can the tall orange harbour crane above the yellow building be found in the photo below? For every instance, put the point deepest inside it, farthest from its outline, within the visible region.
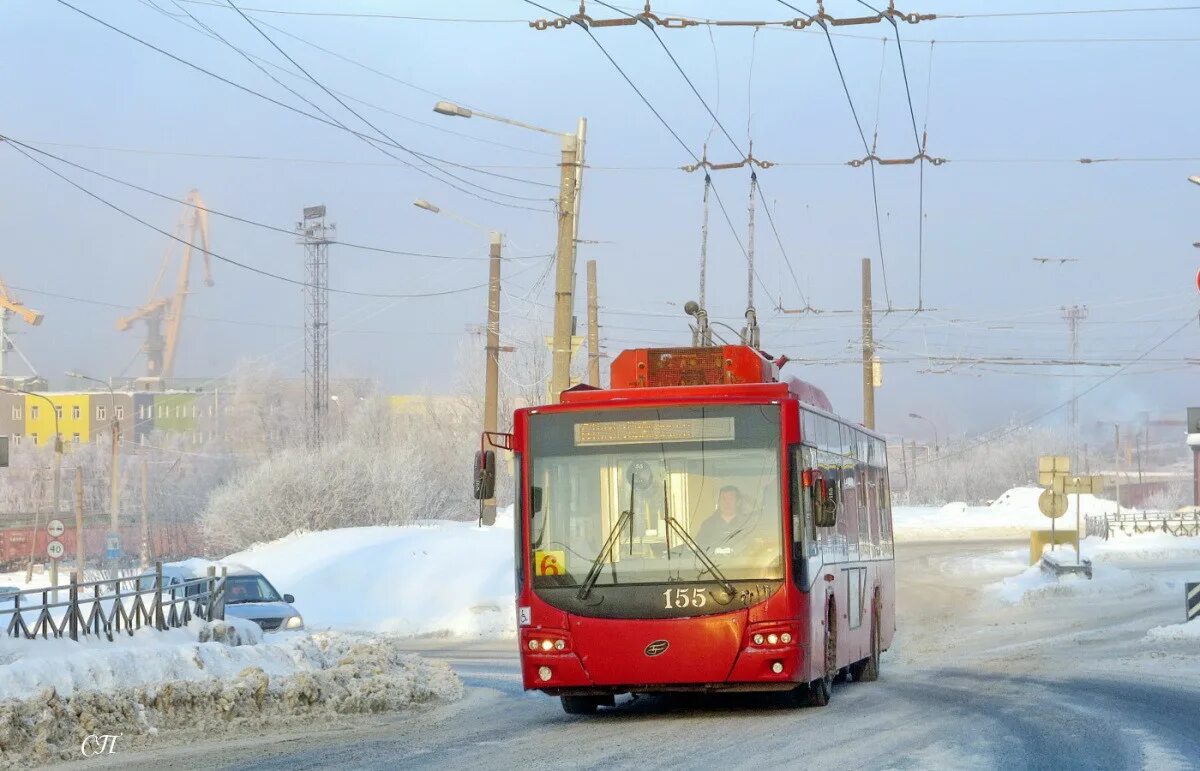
(169, 312)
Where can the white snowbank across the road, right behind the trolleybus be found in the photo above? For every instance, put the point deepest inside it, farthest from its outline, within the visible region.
(1016, 513)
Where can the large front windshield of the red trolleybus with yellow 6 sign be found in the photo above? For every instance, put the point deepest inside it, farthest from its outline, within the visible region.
(663, 497)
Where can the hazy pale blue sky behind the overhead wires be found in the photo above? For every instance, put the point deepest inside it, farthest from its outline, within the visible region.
(1009, 116)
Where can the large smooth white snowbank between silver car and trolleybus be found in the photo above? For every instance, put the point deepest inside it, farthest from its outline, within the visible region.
(436, 578)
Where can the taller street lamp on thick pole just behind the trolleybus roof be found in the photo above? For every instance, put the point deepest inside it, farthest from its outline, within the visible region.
(571, 188)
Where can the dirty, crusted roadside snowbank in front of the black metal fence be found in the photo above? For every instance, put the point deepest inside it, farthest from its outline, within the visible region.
(200, 686)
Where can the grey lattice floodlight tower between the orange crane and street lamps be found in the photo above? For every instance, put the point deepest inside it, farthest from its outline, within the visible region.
(316, 236)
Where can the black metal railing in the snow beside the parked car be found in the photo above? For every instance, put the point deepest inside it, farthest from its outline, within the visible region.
(113, 606)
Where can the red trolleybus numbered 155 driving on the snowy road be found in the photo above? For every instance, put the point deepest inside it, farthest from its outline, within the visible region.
(703, 525)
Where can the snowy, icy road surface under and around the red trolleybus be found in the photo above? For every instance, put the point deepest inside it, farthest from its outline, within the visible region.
(969, 684)
